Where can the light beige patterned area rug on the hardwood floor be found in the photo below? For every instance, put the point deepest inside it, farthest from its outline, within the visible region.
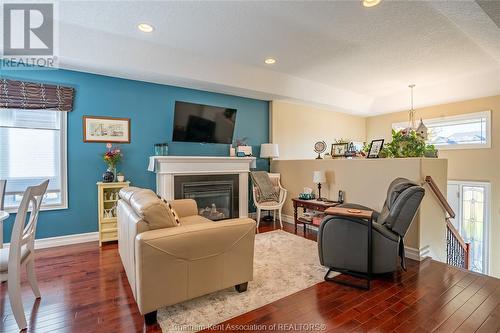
(284, 263)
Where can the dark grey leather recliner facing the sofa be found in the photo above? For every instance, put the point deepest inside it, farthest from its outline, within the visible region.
(342, 241)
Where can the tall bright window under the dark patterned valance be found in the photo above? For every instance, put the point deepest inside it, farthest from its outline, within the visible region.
(32, 149)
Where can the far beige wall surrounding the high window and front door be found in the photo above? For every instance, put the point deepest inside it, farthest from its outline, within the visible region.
(472, 164)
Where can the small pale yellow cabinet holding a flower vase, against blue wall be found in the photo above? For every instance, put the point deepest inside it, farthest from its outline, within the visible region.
(107, 194)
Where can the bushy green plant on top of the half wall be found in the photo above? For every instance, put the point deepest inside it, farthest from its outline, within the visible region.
(407, 143)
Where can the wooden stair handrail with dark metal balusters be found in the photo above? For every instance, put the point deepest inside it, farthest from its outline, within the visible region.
(457, 250)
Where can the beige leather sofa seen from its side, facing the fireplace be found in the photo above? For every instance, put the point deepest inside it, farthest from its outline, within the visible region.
(168, 263)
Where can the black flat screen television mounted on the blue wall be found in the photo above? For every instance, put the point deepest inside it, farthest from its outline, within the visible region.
(203, 123)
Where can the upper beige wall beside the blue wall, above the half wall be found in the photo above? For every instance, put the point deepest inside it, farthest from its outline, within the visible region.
(295, 128)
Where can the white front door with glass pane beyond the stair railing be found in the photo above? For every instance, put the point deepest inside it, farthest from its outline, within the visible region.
(471, 203)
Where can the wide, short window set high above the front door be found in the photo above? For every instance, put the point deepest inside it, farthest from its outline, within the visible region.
(468, 131)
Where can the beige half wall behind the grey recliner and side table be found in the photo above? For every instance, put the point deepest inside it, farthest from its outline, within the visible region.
(365, 182)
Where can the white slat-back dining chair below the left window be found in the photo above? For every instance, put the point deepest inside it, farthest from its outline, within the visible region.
(22, 250)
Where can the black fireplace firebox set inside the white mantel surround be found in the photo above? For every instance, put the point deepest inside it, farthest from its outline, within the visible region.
(217, 196)
